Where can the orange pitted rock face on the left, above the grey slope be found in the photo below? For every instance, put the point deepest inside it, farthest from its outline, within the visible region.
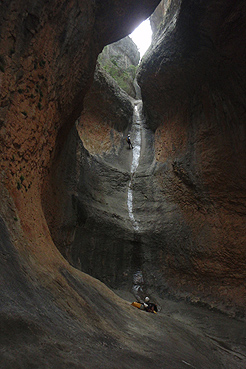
(48, 53)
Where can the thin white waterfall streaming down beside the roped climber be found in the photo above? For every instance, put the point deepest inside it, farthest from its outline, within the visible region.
(136, 141)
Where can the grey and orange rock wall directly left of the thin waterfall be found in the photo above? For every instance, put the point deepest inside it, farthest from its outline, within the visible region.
(89, 182)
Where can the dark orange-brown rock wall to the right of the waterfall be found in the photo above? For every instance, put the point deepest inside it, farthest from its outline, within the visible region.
(195, 103)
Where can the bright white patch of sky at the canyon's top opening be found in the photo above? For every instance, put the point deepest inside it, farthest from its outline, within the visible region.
(142, 36)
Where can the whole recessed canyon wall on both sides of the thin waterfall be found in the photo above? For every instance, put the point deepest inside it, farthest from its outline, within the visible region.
(188, 191)
